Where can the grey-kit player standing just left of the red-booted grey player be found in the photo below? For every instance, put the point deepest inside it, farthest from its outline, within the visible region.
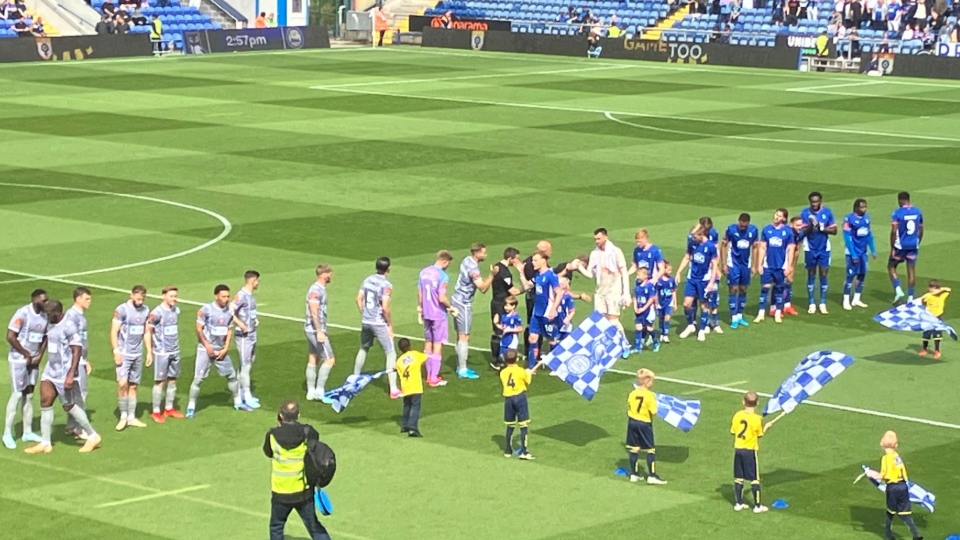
(126, 337)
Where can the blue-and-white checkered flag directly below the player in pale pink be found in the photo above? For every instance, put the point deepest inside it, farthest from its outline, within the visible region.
(580, 358)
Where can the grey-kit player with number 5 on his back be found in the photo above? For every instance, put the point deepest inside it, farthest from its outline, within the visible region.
(373, 301)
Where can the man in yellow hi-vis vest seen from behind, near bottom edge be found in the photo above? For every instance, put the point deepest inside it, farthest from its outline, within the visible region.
(286, 446)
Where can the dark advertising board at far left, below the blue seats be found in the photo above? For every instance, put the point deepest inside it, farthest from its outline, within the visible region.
(74, 47)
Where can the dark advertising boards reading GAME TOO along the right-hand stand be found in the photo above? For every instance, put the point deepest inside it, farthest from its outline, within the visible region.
(785, 55)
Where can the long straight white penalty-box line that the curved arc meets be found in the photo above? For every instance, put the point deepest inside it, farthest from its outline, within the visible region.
(648, 115)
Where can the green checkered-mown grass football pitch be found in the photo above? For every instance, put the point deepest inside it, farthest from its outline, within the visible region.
(189, 171)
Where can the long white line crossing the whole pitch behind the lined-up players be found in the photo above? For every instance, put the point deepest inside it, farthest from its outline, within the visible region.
(696, 384)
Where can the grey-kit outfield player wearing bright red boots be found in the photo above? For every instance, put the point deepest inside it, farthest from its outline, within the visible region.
(162, 346)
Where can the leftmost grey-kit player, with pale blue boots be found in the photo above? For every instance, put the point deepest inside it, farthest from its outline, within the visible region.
(27, 336)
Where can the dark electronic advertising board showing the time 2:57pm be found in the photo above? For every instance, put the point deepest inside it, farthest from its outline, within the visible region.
(256, 39)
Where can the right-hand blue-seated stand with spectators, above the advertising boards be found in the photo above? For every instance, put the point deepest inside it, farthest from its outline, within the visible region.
(881, 23)
